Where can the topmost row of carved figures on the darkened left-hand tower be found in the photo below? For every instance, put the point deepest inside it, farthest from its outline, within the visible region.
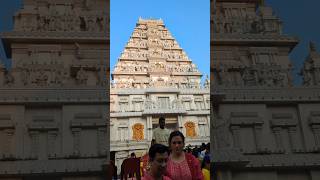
(61, 20)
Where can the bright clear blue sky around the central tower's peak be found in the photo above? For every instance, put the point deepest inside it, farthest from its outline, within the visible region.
(187, 20)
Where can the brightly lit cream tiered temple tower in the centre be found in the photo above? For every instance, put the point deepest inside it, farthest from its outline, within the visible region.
(154, 77)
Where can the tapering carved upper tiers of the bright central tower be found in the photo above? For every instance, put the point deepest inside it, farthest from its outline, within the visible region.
(154, 43)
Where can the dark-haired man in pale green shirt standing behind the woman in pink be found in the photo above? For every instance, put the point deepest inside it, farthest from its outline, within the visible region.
(161, 134)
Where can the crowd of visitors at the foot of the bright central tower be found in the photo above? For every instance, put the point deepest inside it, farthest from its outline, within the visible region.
(172, 160)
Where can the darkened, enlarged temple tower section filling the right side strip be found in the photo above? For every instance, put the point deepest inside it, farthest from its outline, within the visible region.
(262, 127)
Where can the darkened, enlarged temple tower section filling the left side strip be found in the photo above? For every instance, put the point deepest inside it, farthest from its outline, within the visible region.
(53, 102)
